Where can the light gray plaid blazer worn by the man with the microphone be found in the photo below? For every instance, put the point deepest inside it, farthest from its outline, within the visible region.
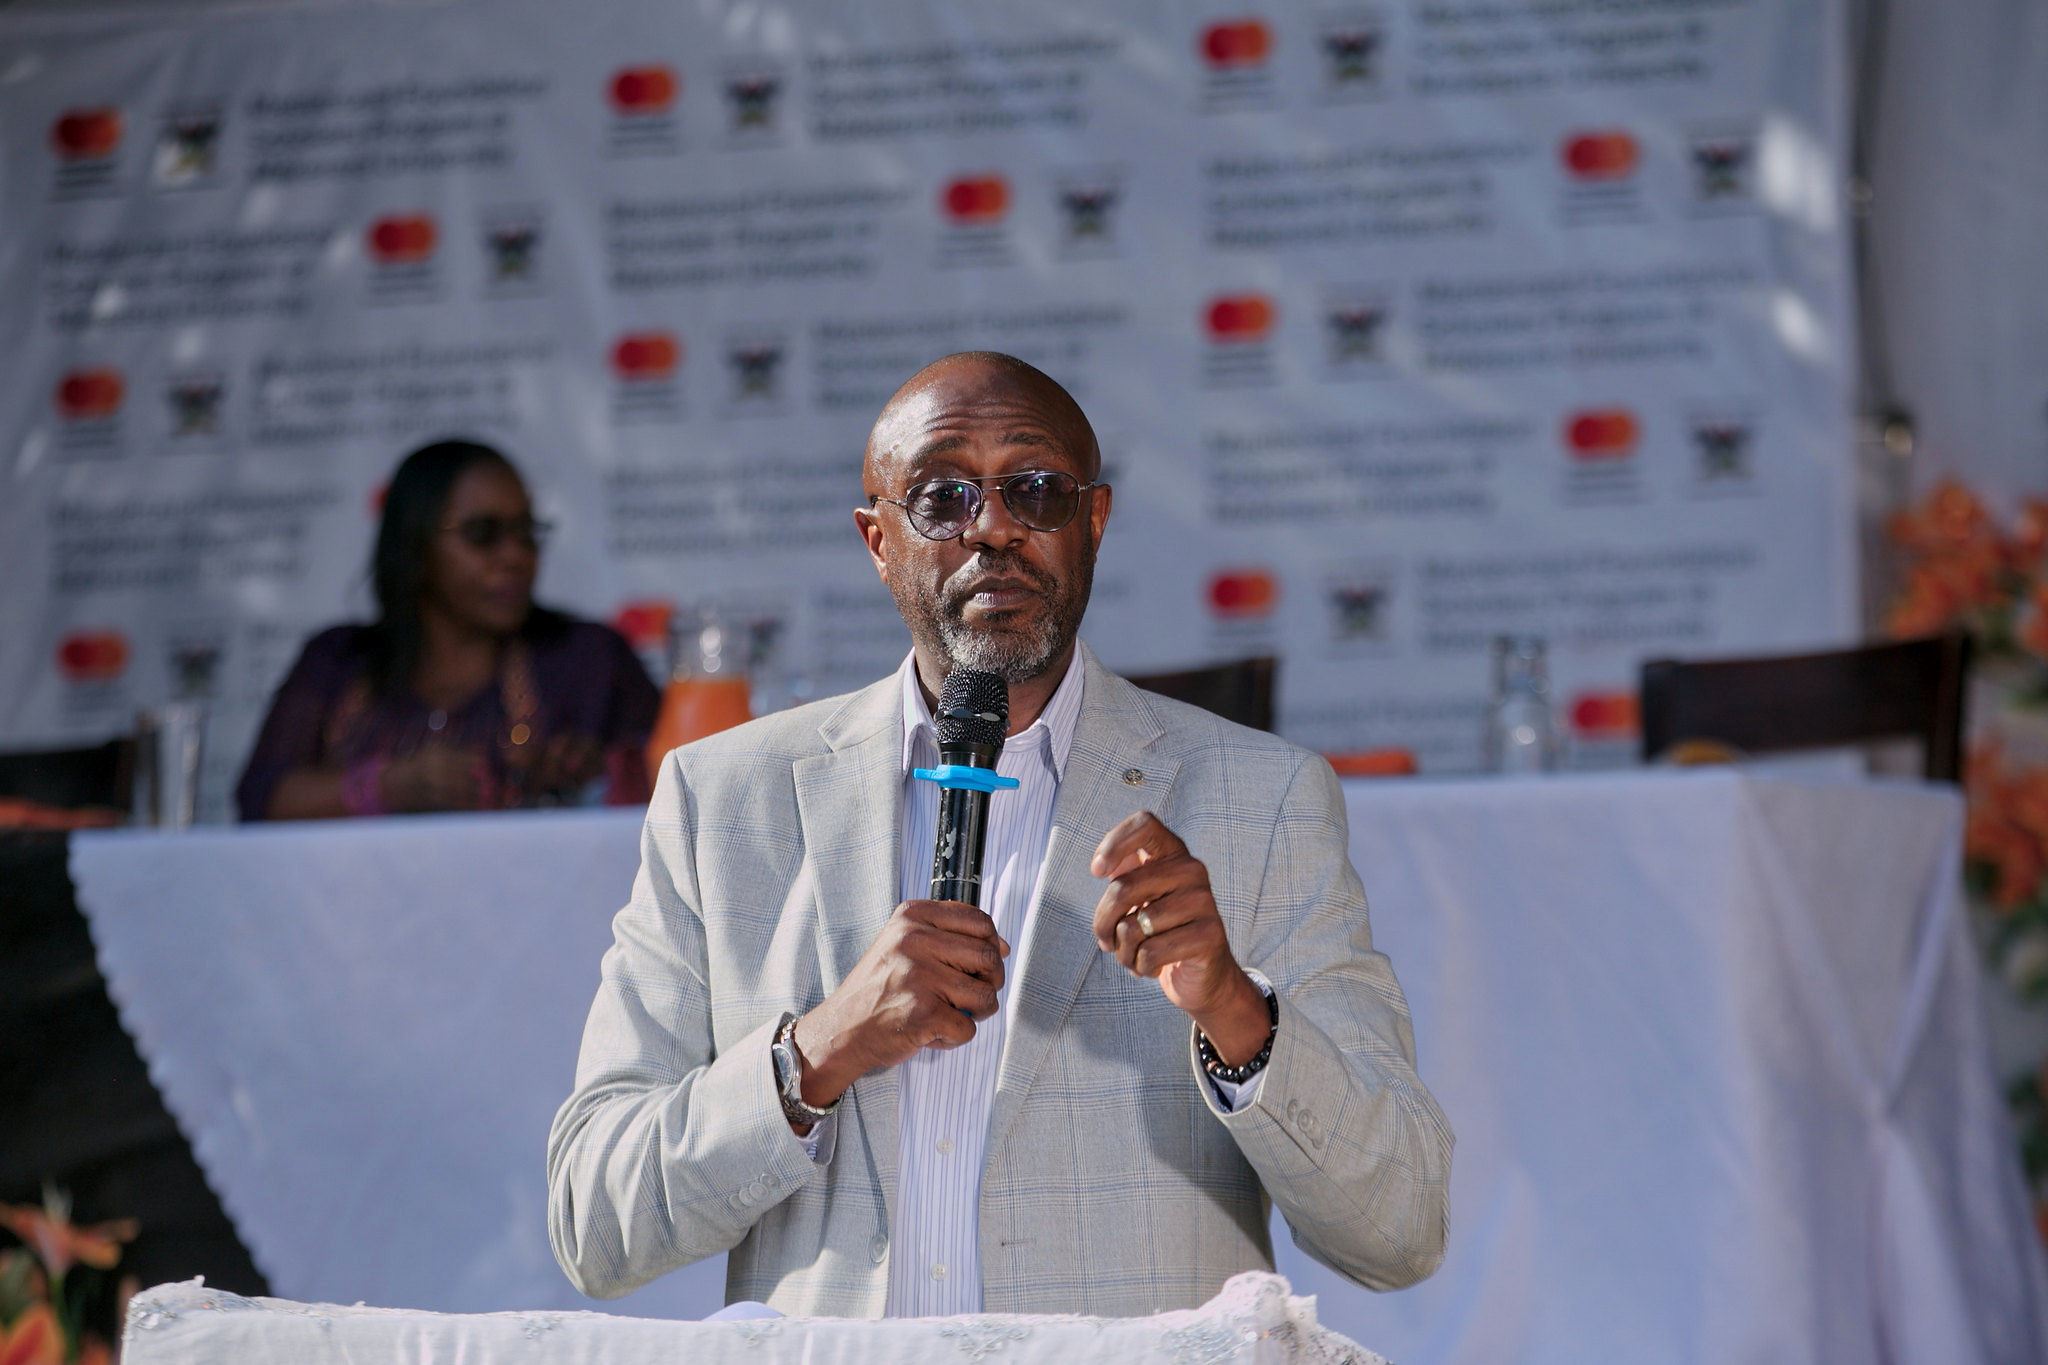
(1115, 1184)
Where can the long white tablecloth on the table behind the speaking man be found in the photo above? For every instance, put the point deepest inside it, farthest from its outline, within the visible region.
(1711, 1043)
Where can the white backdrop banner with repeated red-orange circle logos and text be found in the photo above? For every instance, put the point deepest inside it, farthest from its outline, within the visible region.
(1402, 324)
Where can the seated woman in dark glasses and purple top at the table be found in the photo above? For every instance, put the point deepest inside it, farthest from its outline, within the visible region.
(462, 695)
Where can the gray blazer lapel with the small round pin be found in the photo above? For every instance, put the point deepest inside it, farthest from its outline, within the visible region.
(1113, 740)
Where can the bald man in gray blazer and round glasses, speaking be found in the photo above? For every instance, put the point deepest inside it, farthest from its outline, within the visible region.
(1084, 1094)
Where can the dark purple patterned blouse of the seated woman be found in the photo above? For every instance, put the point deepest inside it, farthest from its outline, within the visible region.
(562, 676)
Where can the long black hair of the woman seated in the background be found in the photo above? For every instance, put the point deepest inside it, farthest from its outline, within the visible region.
(415, 509)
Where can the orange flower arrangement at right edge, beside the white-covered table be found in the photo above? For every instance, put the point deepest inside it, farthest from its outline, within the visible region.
(1965, 570)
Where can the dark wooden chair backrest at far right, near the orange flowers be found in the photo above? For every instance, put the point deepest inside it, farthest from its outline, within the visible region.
(1848, 697)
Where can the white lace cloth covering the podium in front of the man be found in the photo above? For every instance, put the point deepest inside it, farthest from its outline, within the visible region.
(1256, 1321)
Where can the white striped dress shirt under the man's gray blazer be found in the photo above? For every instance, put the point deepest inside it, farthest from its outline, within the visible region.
(943, 1127)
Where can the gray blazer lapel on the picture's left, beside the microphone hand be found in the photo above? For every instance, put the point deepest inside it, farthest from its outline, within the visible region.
(851, 809)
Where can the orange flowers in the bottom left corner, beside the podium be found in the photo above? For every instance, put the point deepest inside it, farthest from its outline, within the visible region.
(52, 1282)
